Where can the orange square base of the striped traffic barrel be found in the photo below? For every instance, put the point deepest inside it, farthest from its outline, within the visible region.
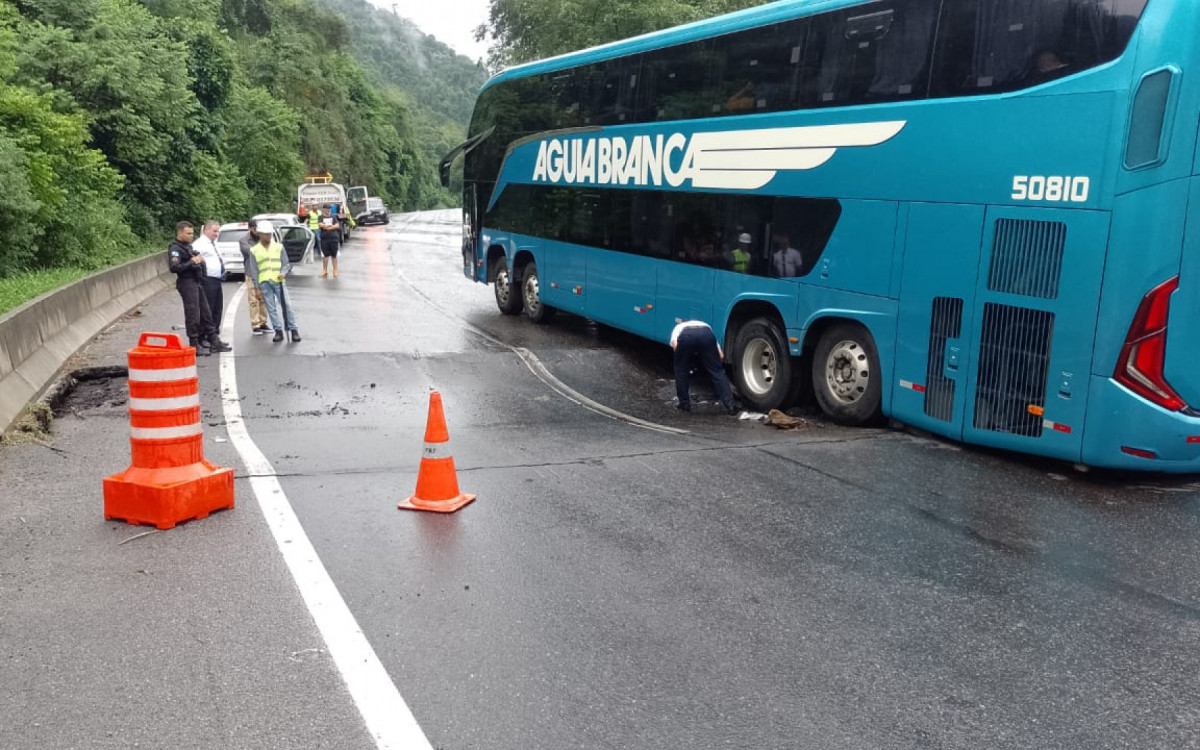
(165, 505)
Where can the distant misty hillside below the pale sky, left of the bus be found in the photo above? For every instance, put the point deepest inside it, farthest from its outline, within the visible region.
(440, 85)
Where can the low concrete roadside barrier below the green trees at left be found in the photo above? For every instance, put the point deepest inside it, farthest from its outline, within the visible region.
(39, 338)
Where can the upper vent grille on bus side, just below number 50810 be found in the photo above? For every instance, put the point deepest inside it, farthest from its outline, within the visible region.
(1027, 257)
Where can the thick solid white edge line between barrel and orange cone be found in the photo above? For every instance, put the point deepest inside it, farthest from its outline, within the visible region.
(388, 718)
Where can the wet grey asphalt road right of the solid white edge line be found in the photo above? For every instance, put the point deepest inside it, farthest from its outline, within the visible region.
(730, 587)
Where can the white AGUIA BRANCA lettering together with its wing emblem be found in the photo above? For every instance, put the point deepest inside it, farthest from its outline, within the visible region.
(725, 160)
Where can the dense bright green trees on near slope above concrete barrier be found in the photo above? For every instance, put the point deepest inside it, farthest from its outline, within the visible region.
(121, 118)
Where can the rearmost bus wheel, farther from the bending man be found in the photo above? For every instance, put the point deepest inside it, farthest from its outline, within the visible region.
(847, 375)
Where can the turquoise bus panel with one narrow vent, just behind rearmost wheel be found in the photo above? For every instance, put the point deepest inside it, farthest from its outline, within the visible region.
(941, 261)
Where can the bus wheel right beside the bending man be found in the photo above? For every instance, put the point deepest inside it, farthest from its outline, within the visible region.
(763, 367)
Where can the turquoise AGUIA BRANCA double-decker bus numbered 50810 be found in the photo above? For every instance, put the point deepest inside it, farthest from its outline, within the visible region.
(979, 218)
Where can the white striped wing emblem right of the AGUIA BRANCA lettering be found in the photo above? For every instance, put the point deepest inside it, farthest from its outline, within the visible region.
(749, 160)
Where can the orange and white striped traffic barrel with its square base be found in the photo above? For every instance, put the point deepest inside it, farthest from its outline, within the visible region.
(169, 481)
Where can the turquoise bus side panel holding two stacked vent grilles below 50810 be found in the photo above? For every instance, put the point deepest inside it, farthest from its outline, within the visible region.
(1035, 329)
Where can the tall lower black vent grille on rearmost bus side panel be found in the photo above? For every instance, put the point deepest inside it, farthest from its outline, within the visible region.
(1015, 361)
